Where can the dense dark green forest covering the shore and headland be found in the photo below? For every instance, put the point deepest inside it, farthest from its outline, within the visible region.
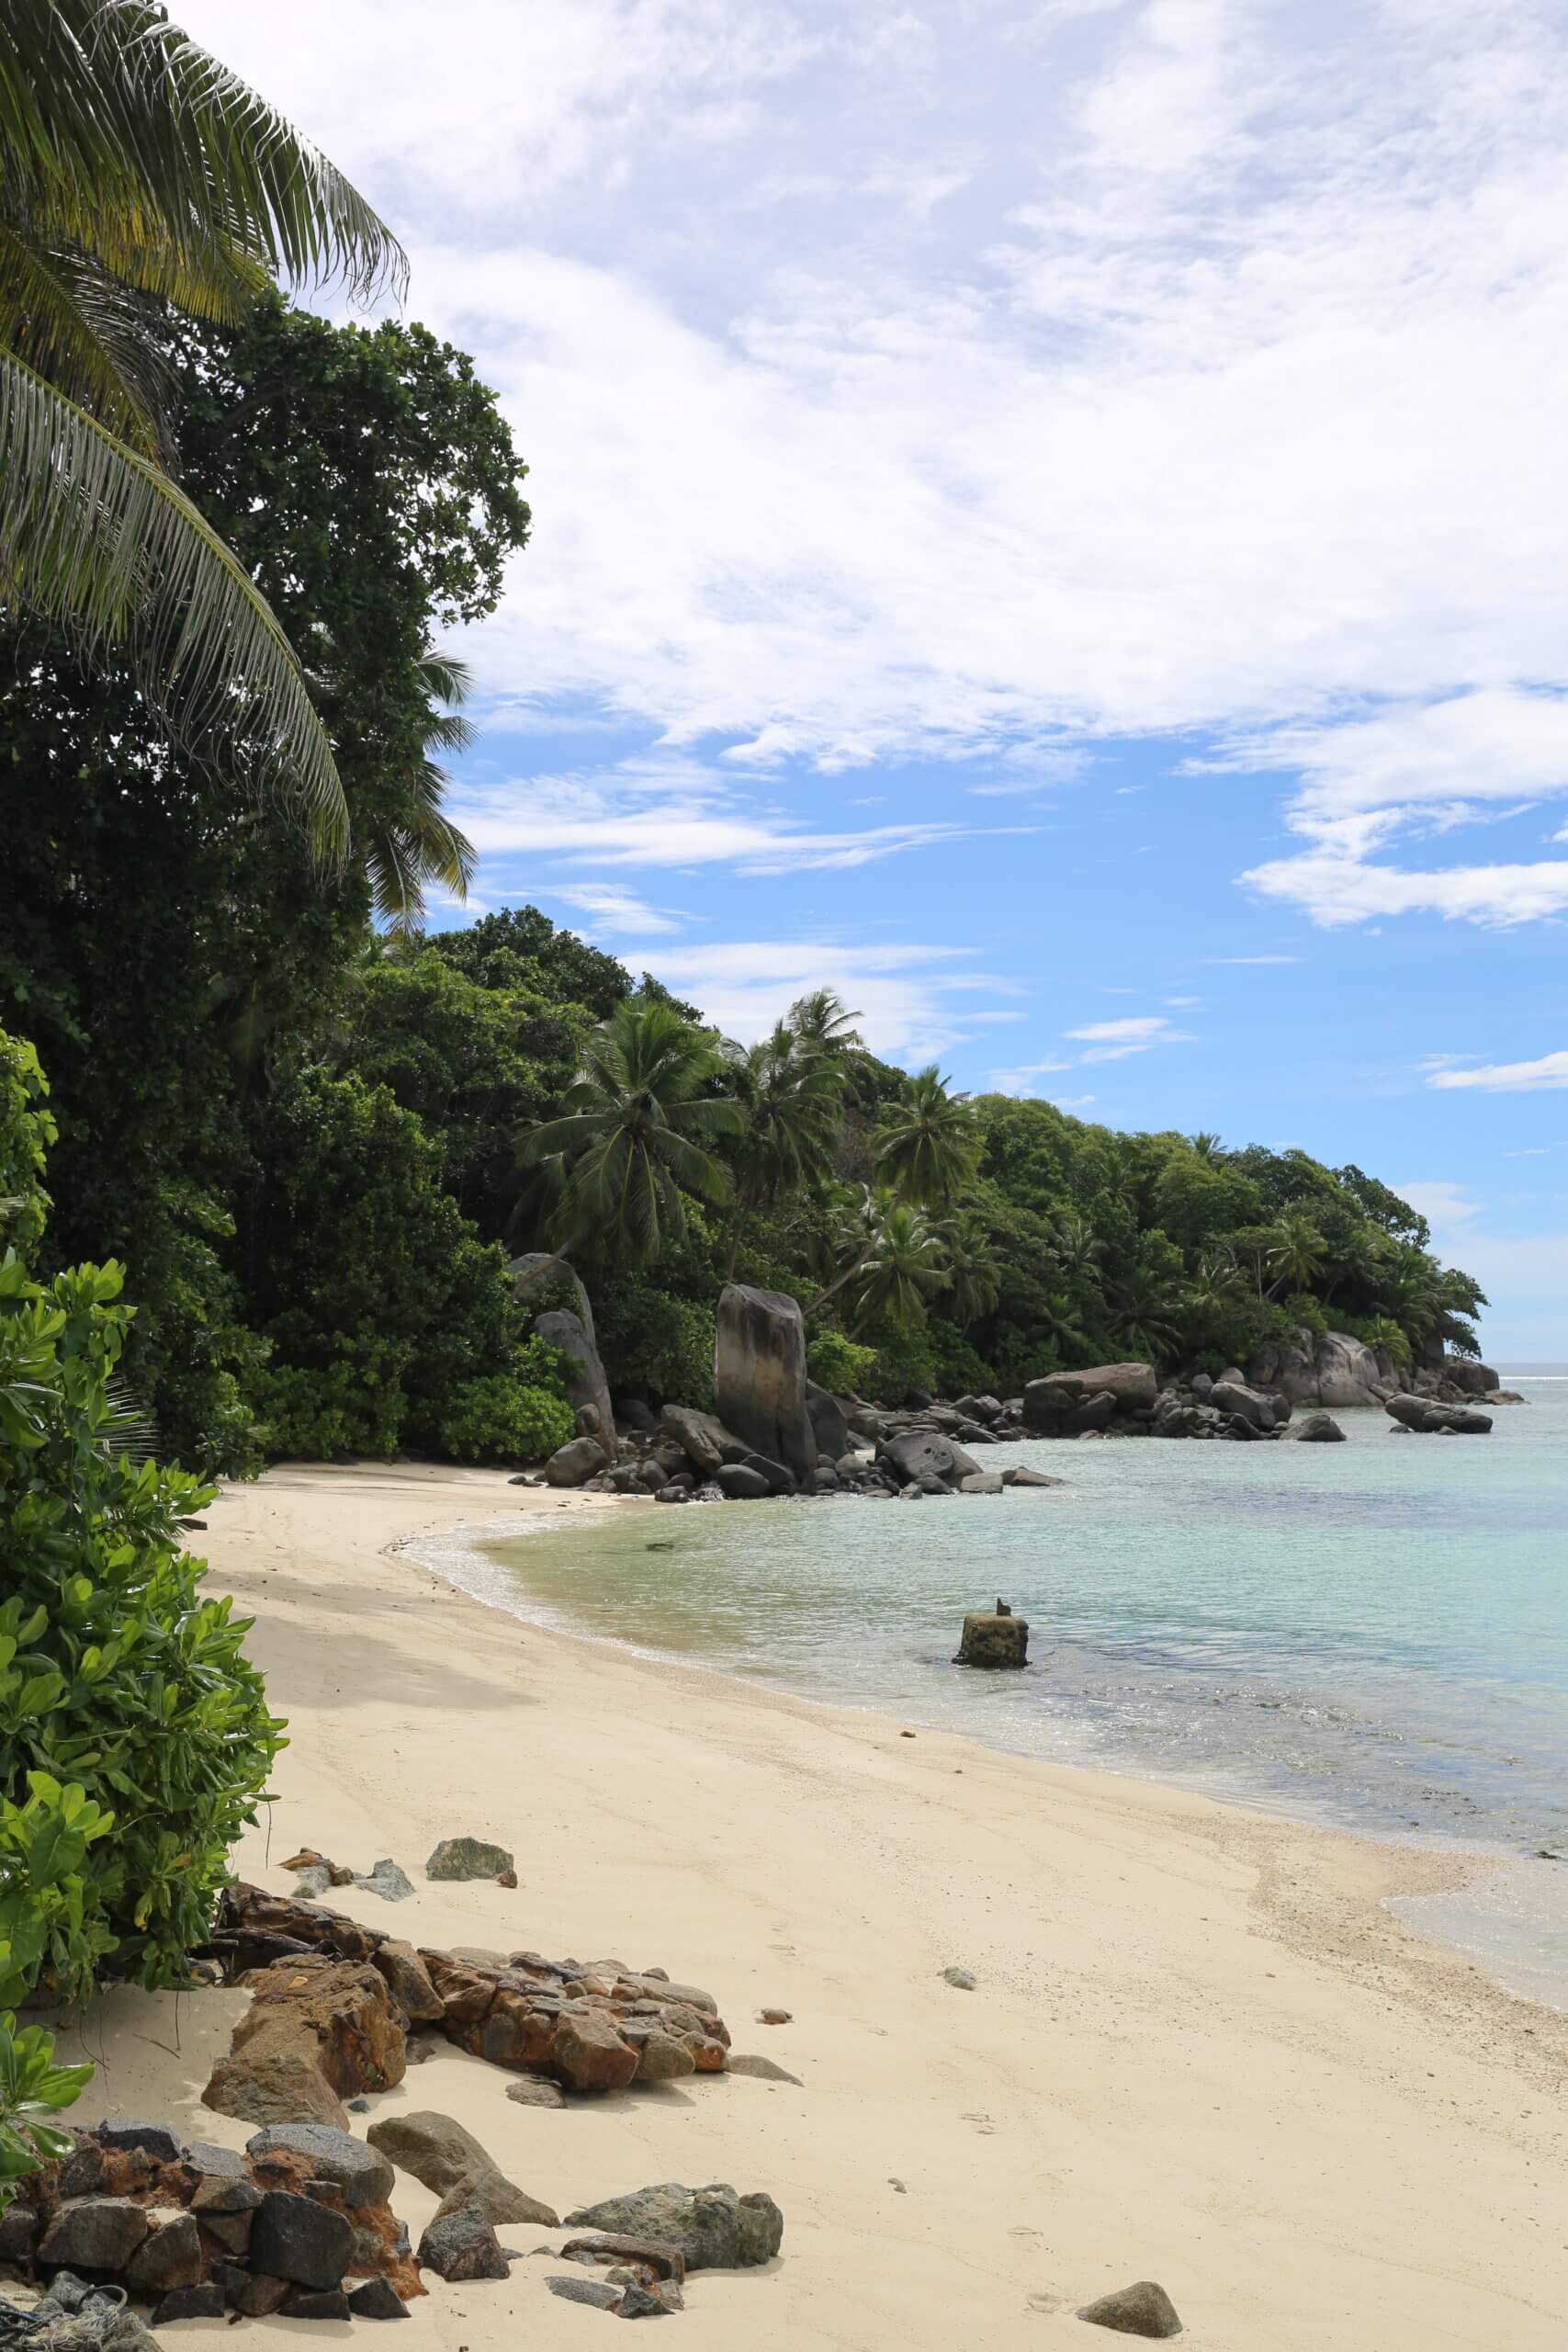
(316, 1135)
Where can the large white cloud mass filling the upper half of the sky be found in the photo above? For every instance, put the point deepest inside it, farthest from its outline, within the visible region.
(1228, 389)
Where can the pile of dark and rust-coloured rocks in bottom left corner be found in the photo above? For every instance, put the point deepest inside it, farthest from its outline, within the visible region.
(300, 2224)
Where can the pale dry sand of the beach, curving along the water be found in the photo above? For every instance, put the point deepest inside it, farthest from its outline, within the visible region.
(1198, 2052)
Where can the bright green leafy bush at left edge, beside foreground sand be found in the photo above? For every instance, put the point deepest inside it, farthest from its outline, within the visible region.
(119, 1678)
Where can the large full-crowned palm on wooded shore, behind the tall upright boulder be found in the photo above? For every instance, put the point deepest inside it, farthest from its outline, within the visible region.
(634, 1135)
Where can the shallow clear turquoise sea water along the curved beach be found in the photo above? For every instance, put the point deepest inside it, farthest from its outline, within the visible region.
(1369, 1633)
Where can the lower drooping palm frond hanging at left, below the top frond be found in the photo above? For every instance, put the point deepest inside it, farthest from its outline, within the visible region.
(95, 537)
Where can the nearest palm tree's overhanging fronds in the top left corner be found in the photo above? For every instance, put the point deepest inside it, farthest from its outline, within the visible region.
(135, 171)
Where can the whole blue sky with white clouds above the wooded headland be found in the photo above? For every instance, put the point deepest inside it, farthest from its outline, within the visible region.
(1050, 519)
